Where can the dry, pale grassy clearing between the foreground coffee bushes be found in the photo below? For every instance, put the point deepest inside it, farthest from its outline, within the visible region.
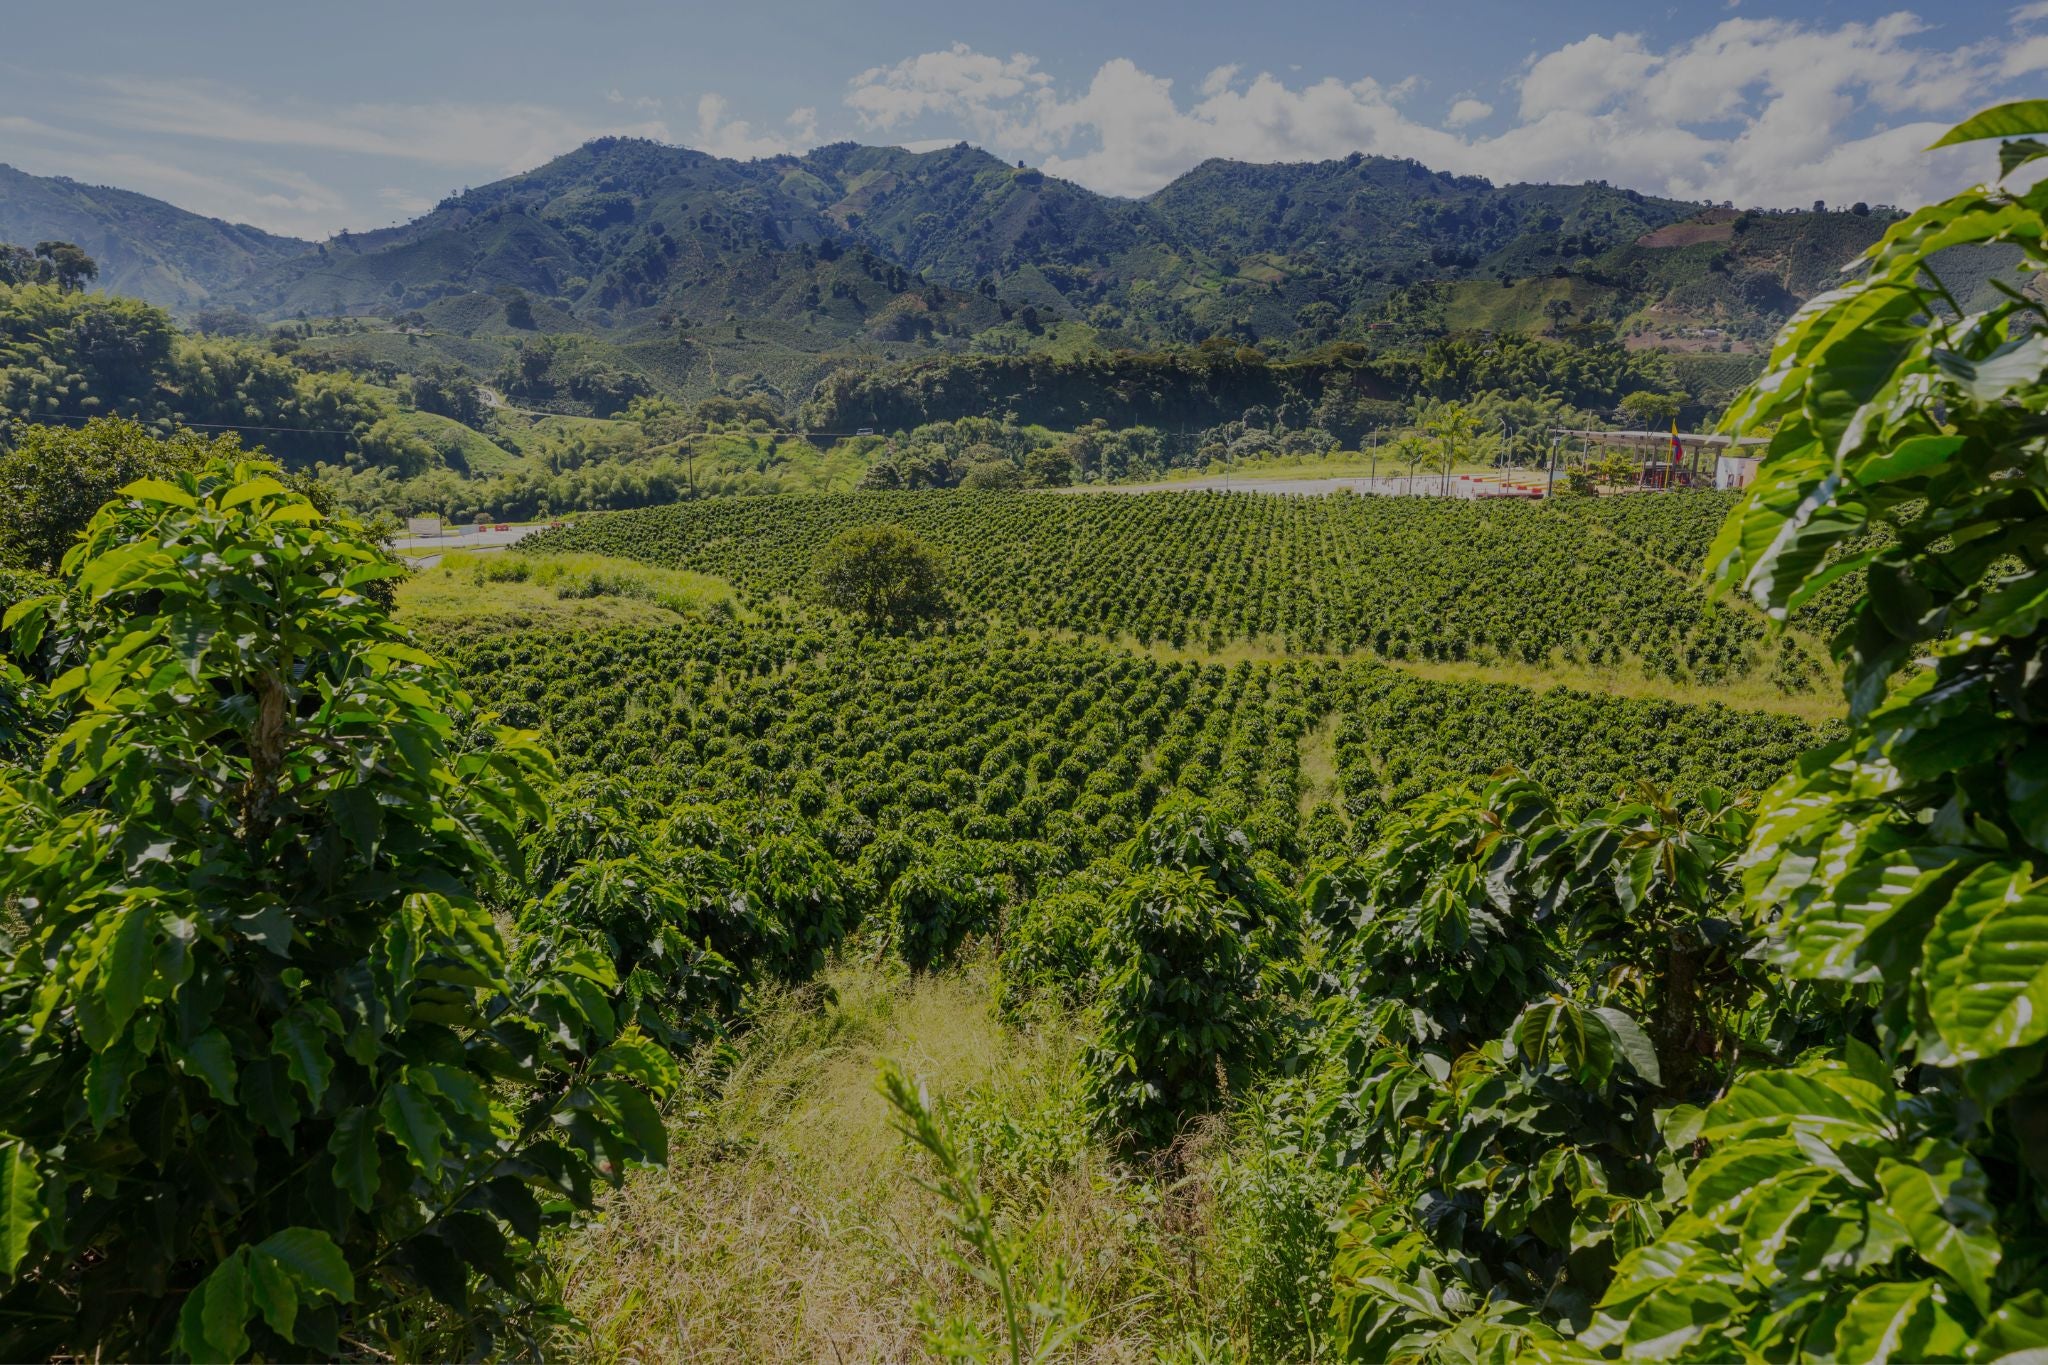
(790, 1225)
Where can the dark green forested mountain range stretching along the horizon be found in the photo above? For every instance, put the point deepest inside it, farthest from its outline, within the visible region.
(624, 232)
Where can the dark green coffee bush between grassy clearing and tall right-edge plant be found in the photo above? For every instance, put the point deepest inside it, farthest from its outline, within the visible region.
(1519, 1127)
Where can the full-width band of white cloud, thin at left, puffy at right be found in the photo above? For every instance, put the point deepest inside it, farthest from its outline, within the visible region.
(1752, 109)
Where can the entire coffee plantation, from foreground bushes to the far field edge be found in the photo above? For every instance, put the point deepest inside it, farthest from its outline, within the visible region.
(361, 981)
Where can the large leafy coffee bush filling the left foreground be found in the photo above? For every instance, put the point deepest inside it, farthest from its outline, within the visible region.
(271, 1075)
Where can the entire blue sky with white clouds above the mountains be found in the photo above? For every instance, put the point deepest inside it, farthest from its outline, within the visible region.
(310, 120)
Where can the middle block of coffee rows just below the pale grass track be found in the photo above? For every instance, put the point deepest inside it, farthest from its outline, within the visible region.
(1068, 744)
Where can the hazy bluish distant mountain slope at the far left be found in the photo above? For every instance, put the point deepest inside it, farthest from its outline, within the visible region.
(144, 247)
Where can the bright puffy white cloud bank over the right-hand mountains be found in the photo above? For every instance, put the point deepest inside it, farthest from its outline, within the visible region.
(1754, 109)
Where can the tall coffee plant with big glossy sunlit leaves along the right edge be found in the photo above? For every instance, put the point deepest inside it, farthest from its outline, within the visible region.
(1891, 1204)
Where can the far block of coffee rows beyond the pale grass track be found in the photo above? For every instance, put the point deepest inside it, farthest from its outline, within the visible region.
(1592, 582)
